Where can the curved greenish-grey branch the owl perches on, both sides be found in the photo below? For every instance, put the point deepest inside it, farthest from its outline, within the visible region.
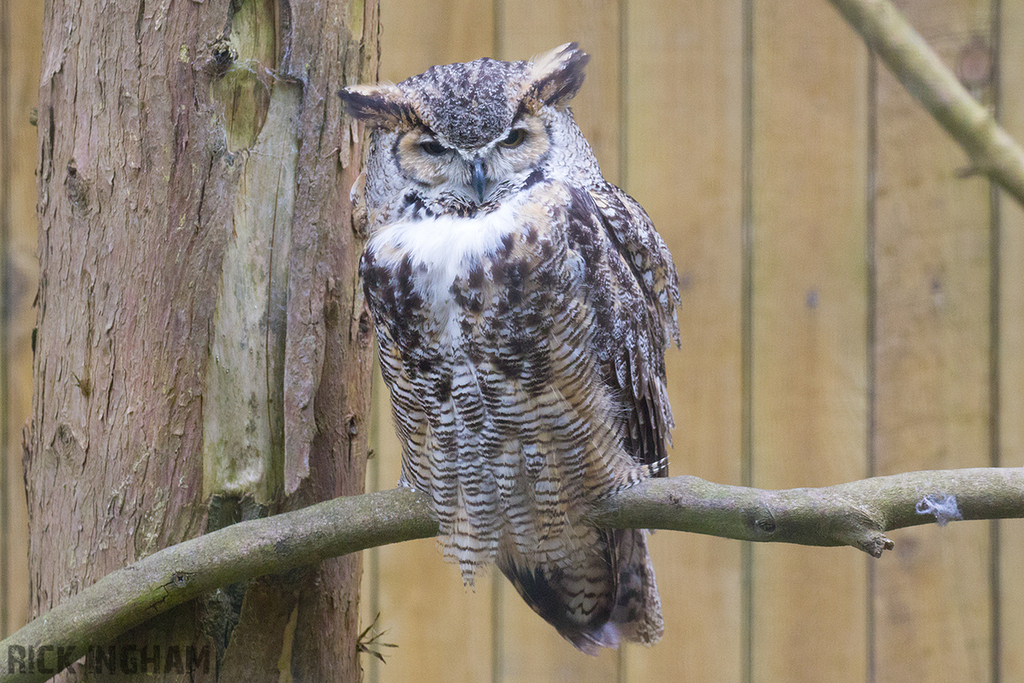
(852, 515)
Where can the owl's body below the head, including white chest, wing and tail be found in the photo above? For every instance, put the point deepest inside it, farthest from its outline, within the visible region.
(525, 353)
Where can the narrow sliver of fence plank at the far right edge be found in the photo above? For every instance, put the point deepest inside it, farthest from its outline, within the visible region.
(1011, 341)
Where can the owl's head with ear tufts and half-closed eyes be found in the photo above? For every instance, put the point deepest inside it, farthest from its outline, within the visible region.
(459, 139)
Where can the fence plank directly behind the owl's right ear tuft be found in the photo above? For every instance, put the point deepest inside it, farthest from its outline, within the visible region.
(530, 650)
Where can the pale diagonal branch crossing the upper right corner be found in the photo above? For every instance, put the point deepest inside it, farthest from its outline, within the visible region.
(923, 74)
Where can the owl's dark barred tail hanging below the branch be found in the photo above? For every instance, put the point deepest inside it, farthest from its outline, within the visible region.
(604, 595)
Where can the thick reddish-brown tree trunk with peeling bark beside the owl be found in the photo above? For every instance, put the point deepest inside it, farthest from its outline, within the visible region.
(203, 355)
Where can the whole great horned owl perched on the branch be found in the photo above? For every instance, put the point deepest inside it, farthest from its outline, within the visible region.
(523, 307)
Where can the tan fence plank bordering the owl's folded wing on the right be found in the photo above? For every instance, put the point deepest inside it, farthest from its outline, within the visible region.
(684, 117)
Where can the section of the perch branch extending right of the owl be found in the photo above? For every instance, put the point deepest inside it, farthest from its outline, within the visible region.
(856, 515)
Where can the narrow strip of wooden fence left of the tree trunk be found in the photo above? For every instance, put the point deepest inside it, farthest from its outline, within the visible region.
(19, 150)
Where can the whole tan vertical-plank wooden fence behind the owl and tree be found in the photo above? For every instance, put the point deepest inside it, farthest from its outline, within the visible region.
(854, 305)
